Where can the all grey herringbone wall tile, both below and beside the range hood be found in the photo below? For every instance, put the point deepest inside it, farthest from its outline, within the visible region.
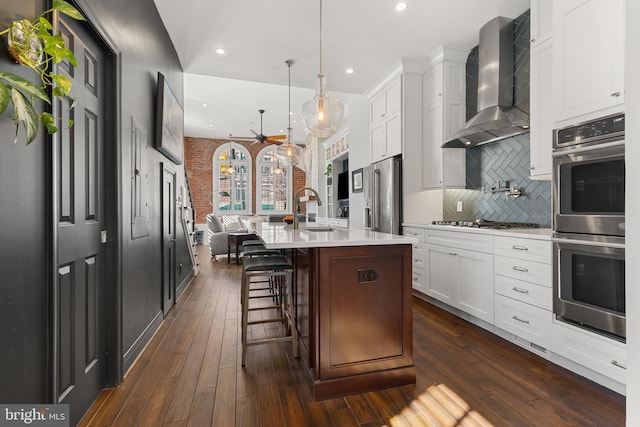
(501, 161)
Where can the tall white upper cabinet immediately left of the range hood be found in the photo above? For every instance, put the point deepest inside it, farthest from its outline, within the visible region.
(444, 102)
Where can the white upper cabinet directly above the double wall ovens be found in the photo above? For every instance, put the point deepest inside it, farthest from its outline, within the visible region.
(588, 59)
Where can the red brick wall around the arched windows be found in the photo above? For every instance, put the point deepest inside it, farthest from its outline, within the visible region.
(198, 154)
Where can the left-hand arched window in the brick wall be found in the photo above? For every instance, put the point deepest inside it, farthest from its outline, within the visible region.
(231, 179)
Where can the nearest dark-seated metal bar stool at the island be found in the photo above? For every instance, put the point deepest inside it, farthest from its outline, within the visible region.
(279, 272)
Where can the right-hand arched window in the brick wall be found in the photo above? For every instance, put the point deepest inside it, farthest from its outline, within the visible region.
(273, 183)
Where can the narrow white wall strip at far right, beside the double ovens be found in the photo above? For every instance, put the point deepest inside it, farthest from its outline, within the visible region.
(632, 153)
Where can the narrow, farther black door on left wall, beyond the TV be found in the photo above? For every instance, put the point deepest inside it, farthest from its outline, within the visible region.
(168, 237)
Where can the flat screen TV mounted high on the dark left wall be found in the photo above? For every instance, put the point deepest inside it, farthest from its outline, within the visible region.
(169, 122)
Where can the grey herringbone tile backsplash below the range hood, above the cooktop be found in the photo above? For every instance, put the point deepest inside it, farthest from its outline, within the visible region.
(505, 161)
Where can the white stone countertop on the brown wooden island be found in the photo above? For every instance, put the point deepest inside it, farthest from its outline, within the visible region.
(283, 236)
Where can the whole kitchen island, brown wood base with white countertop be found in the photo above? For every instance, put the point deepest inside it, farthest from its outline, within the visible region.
(352, 298)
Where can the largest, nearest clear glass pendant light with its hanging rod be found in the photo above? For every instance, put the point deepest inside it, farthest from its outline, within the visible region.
(322, 115)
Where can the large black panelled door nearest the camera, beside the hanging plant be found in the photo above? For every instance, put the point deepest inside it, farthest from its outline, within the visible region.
(79, 209)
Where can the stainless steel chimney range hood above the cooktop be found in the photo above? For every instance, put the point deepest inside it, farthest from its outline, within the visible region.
(496, 118)
